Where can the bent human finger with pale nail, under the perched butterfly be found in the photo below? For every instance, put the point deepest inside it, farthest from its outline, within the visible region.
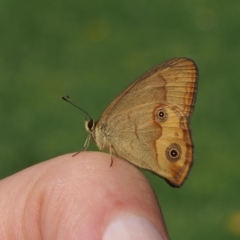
(80, 197)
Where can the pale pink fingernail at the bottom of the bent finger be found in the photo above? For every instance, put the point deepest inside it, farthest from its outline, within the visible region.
(131, 227)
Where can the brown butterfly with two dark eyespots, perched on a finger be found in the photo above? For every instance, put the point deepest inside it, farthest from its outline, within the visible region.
(148, 123)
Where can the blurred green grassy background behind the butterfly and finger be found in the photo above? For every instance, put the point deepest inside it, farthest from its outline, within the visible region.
(92, 50)
